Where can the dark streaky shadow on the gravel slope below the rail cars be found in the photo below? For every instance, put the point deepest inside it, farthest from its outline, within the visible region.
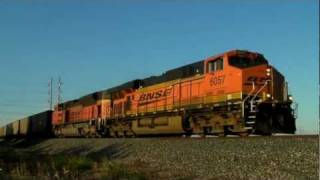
(15, 148)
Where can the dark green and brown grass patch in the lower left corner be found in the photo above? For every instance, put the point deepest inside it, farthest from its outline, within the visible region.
(26, 165)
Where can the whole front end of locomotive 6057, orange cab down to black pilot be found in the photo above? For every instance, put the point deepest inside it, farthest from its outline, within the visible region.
(265, 104)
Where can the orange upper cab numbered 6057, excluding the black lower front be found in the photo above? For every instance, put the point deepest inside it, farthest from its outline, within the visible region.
(237, 73)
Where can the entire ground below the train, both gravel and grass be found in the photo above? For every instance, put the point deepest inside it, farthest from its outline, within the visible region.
(162, 158)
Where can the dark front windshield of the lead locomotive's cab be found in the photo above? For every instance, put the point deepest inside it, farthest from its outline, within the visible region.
(245, 62)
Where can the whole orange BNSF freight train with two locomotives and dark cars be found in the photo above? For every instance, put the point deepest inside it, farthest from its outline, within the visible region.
(236, 92)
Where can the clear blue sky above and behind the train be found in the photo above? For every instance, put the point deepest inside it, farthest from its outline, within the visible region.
(100, 44)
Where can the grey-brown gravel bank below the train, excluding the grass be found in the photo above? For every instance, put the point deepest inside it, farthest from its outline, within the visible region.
(195, 158)
